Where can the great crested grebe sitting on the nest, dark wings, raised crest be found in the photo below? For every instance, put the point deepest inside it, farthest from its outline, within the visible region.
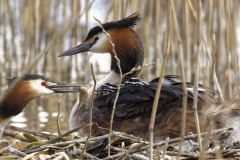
(135, 102)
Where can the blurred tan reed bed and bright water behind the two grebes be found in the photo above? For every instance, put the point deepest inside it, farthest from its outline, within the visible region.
(28, 27)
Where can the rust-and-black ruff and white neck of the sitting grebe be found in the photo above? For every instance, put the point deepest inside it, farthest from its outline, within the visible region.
(129, 51)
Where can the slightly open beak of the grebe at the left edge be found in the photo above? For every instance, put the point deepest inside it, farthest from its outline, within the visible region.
(65, 87)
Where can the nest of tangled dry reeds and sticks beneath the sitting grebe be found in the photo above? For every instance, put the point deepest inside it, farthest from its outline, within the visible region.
(36, 145)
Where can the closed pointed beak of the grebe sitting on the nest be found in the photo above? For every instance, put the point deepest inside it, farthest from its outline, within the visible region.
(78, 49)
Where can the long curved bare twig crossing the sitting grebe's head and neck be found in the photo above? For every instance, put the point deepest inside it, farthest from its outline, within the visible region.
(119, 83)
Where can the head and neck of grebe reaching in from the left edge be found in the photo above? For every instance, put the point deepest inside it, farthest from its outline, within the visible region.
(29, 87)
